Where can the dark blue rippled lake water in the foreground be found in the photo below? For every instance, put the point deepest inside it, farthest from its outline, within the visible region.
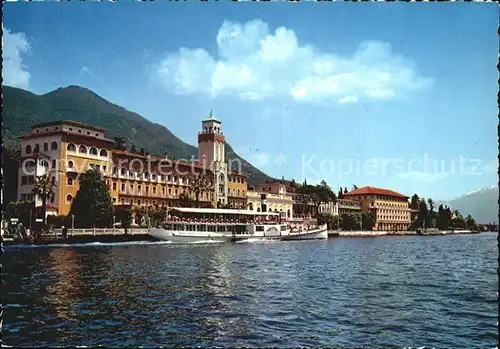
(409, 291)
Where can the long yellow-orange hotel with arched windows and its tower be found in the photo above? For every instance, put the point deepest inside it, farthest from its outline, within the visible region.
(66, 149)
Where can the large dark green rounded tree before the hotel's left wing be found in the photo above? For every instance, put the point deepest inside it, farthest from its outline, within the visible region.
(92, 205)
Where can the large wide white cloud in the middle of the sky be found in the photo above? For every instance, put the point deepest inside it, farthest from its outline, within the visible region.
(254, 63)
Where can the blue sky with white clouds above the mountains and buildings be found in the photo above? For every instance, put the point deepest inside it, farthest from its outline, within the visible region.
(355, 93)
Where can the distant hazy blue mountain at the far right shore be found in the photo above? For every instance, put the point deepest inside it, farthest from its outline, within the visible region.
(482, 204)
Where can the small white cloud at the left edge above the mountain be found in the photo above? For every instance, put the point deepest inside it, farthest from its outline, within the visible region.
(14, 72)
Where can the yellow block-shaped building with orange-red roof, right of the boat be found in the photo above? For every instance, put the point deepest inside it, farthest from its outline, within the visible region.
(390, 209)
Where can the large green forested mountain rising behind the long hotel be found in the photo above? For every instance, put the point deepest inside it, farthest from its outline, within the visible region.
(22, 108)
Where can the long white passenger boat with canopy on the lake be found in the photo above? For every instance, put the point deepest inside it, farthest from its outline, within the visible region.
(226, 225)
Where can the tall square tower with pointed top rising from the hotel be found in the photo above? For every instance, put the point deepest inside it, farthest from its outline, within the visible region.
(211, 154)
